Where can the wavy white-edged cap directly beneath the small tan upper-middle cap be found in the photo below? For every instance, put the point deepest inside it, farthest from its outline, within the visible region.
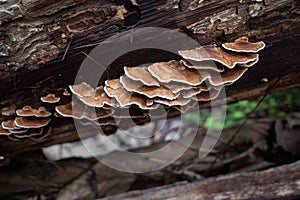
(149, 91)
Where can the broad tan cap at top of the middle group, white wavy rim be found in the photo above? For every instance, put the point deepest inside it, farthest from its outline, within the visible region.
(173, 70)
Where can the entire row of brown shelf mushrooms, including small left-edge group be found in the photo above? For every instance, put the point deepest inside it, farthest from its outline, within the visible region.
(140, 91)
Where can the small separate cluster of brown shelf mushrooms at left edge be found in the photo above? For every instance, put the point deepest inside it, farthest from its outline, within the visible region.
(29, 123)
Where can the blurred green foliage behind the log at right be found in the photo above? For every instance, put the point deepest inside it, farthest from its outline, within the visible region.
(275, 104)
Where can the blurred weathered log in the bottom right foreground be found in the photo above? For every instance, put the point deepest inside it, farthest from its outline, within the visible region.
(276, 183)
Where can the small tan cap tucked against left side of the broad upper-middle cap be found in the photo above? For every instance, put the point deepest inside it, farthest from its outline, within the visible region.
(141, 74)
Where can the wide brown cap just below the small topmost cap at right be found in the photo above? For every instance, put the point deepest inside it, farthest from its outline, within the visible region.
(211, 52)
